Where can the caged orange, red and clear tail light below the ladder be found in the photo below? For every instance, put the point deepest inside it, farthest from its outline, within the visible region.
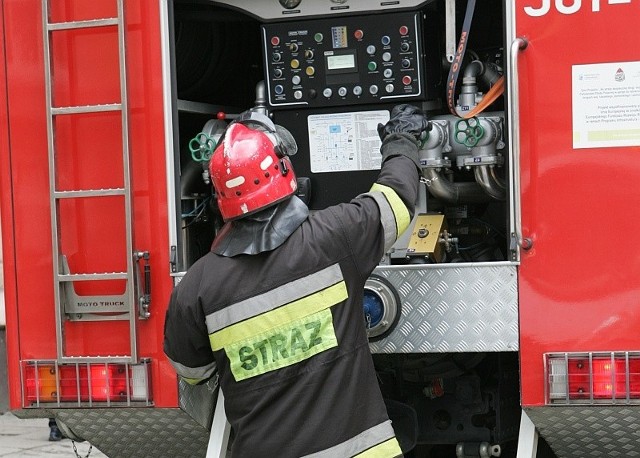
(82, 383)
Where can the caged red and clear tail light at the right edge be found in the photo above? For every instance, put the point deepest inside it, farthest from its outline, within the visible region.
(593, 377)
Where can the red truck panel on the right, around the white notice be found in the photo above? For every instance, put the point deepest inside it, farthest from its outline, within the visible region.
(580, 284)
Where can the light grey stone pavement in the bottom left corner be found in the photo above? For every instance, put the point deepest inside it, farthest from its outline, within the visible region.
(30, 438)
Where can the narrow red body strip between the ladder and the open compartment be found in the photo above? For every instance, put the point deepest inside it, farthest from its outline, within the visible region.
(146, 121)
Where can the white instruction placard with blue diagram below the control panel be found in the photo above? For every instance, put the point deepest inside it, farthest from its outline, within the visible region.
(341, 142)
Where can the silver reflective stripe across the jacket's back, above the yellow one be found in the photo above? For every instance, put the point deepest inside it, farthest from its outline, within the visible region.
(275, 298)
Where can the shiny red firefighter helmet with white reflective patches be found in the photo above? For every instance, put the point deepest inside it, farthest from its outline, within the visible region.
(250, 168)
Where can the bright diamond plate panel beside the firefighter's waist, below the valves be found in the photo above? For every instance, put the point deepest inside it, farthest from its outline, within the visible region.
(453, 308)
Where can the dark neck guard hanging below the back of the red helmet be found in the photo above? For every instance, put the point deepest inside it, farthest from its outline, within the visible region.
(263, 231)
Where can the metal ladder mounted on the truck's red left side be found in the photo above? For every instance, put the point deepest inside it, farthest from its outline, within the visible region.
(68, 304)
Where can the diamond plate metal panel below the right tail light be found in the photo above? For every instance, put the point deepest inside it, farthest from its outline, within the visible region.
(589, 431)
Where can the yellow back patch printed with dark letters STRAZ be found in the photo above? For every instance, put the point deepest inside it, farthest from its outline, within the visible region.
(284, 346)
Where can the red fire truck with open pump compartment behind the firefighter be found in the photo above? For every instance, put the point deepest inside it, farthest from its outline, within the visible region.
(502, 317)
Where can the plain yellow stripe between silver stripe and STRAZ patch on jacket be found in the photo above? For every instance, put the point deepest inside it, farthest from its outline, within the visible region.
(276, 318)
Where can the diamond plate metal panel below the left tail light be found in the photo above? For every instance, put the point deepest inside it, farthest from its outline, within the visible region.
(138, 432)
